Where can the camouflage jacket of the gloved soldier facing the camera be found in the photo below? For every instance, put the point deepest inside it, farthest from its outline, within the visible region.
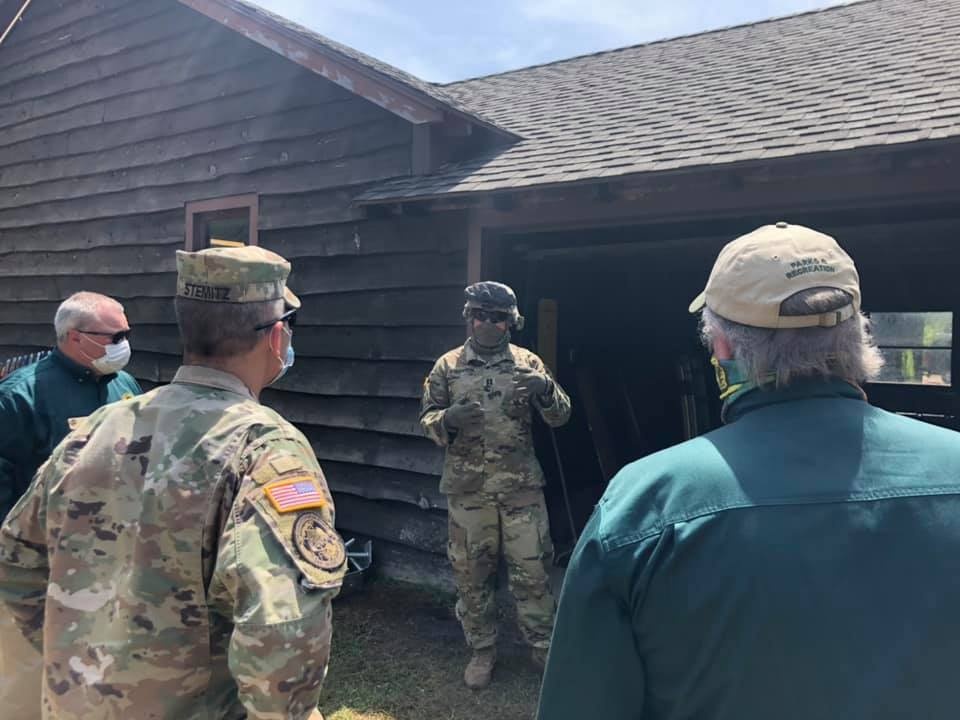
(500, 457)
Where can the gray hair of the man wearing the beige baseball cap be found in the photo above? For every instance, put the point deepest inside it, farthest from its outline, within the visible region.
(844, 351)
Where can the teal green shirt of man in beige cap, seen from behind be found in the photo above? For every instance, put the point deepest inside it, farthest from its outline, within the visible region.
(800, 563)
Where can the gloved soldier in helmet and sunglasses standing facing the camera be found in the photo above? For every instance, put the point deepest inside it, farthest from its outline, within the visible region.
(478, 403)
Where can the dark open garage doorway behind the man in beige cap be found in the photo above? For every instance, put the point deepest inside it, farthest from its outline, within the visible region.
(628, 352)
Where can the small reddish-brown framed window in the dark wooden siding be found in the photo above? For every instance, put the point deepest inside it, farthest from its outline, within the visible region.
(223, 222)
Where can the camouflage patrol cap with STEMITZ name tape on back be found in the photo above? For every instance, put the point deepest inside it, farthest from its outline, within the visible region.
(234, 275)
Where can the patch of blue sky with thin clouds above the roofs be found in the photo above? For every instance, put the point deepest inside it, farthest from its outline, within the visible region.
(451, 40)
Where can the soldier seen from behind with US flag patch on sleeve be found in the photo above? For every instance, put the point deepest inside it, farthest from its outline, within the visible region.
(175, 559)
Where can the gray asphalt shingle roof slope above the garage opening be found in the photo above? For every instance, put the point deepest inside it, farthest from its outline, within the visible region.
(869, 73)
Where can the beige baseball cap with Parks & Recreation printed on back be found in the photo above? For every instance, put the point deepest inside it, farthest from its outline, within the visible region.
(755, 273)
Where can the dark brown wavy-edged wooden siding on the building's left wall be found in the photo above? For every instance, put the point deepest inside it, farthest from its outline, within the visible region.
(114, 113)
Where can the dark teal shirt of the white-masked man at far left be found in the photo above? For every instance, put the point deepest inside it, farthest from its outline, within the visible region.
(36, 405)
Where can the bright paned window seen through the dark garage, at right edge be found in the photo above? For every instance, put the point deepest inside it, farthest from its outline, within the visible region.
(917, 347)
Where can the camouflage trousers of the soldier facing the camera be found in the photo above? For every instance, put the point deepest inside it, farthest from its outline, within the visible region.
(482, 525)
